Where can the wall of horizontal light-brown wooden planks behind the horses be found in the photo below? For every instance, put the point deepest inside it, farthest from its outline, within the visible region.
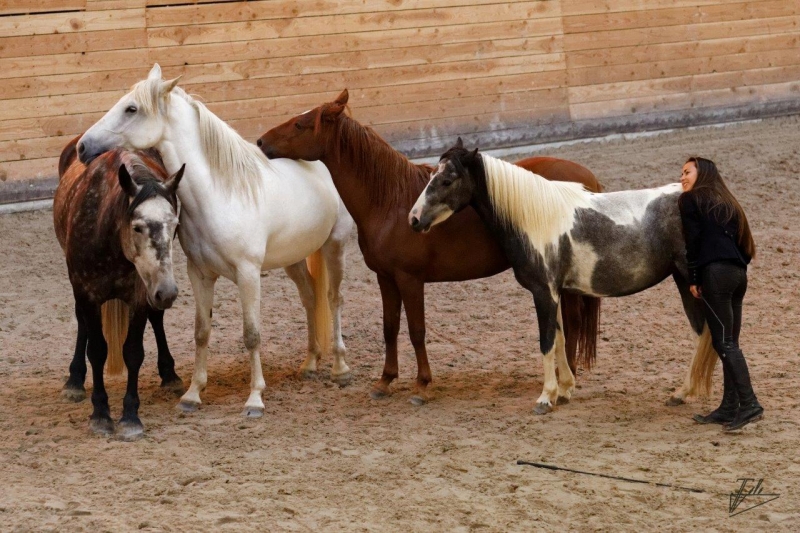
(420, 71)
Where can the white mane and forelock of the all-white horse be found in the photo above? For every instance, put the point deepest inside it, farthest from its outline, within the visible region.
(235, 163)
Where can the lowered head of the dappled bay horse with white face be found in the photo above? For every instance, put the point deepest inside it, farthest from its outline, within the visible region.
(148, 229)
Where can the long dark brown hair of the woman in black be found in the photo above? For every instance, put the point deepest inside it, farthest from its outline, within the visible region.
(715, 199)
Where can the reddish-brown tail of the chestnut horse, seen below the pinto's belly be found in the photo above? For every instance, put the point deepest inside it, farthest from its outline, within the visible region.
(581, 315)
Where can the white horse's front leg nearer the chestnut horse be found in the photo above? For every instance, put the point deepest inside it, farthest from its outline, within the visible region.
(249, 282)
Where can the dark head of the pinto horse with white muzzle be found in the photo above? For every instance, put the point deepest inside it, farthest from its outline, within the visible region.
(450, 189)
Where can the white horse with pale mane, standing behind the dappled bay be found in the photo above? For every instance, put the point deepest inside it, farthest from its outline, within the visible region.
(241, 214)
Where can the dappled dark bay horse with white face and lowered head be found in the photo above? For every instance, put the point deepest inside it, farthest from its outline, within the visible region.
(115, 221)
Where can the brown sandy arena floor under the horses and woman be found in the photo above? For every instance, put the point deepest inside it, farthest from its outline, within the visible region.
(325, 459)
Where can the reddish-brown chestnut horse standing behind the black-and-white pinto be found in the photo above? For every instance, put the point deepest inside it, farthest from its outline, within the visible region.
(378, 186)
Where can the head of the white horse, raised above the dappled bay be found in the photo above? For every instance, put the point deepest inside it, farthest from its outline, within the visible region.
(136, 122)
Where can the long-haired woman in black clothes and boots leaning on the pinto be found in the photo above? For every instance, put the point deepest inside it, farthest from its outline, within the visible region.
(719, 247)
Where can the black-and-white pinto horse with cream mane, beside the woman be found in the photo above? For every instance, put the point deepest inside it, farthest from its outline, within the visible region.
(560, 237)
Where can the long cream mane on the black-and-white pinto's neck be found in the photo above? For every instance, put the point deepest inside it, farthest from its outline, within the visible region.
(528, 203)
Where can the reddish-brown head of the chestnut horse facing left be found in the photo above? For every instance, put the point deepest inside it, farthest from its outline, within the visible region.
(306, 136)
